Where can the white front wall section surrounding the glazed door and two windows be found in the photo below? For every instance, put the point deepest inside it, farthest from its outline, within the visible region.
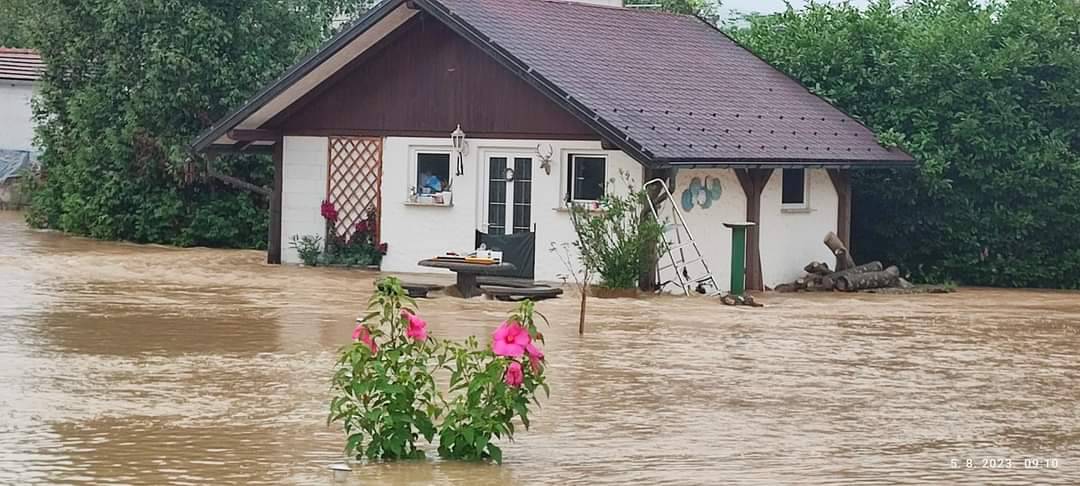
(417, 233)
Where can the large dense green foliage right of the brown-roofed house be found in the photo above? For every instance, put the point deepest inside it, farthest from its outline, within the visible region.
(987, 96)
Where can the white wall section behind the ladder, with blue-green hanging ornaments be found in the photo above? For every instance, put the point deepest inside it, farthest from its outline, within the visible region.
(707, 225)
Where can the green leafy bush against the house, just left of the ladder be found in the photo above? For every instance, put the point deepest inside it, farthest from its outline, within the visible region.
(616, 239)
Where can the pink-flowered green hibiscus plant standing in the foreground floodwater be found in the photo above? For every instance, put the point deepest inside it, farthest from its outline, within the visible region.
(387, 399)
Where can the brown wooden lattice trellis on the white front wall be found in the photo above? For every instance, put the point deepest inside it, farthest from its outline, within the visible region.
(356, 174)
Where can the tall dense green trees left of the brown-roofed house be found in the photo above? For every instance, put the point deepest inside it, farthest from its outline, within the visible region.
(129, 84)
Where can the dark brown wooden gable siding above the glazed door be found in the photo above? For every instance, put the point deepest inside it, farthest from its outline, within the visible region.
(424, 80)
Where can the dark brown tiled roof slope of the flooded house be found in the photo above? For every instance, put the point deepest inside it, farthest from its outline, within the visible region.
(672, 85)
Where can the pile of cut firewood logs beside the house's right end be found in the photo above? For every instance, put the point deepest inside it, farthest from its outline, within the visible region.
(848, 277)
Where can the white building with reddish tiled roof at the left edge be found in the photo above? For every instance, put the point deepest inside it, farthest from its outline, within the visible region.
(20, 73)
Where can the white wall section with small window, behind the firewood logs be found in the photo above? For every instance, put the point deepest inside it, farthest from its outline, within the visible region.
(792, 239)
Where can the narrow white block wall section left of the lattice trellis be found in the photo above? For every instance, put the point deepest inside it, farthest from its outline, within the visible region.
(304, 188)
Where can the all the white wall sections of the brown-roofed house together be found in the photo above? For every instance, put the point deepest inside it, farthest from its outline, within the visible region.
(789, 239)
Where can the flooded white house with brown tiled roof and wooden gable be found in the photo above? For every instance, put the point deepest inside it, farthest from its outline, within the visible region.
(457, 118)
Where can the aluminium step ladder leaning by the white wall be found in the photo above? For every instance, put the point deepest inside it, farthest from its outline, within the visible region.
(685, 246)
